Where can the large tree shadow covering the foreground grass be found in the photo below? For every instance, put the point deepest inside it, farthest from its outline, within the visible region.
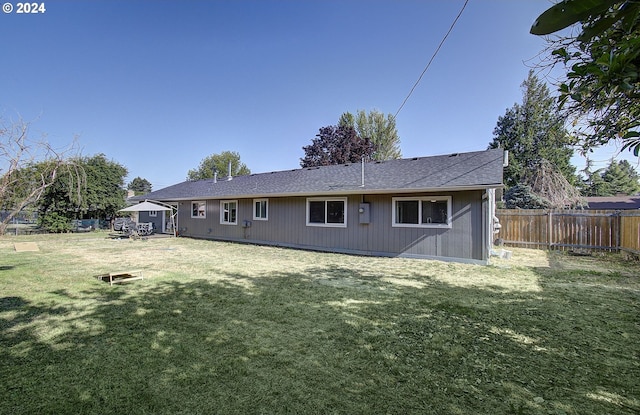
(291, 343)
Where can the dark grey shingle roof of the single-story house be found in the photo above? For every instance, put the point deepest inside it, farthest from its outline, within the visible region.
(459, 171)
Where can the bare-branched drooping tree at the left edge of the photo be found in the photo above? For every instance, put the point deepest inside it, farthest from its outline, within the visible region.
(27, 169)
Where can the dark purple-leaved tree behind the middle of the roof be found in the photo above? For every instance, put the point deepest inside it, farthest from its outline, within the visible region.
(337, 145)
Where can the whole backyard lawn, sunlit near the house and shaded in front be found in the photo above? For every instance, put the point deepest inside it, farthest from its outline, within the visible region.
(239, 329)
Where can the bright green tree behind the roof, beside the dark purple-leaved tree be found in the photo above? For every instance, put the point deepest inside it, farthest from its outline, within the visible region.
(379, 129)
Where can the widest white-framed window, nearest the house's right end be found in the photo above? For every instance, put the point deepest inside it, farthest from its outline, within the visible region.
(427, 212)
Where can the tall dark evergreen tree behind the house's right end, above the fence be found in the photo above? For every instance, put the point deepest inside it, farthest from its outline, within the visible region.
(534, 131)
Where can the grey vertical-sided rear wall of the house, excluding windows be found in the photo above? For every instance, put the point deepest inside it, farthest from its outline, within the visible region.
(286, 226)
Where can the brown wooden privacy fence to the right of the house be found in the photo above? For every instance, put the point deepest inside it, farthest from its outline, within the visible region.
(609, 230)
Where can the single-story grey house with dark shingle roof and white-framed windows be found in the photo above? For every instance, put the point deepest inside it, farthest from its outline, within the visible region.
(439, 207)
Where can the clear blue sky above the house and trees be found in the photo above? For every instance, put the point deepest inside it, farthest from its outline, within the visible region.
(158, 85)
